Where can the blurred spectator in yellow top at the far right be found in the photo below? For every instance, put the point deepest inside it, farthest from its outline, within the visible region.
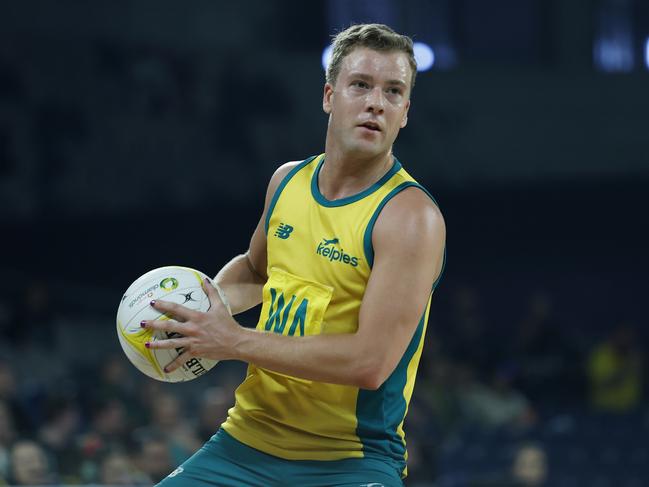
(615, 372)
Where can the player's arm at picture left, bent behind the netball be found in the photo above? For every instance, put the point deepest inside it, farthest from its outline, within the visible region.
(243, 278)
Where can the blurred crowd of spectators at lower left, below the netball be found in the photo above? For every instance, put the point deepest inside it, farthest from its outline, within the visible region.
(109, 429)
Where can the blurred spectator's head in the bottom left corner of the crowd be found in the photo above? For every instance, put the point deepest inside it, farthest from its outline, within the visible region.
(29, 465)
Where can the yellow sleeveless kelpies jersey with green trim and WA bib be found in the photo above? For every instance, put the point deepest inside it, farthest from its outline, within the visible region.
(319, 261)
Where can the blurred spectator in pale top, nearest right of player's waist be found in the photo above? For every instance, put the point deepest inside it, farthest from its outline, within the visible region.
(497, 405)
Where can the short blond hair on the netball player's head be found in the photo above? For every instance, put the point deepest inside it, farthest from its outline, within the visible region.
(379, 37)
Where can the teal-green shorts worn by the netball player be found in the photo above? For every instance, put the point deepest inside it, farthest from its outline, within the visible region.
(226, 462)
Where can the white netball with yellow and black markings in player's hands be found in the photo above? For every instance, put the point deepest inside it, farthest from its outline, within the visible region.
(181, 285)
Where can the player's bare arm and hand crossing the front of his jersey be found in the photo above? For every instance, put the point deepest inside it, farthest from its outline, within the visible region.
(408, 241)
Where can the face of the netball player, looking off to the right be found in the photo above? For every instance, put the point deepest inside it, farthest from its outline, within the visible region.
(369, 103)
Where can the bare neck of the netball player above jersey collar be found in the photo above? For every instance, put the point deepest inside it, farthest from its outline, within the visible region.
(344, 175)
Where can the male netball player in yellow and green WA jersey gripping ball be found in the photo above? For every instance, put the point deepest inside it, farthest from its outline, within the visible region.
(345, 258)
